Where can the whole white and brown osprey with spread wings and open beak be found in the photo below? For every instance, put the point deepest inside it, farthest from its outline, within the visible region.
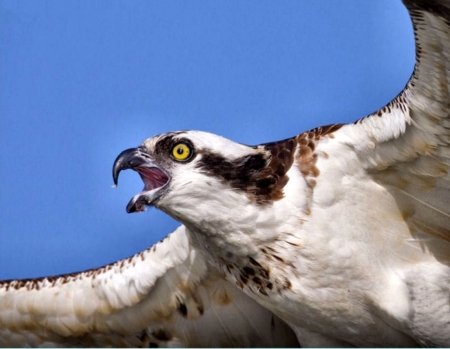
(339, 236)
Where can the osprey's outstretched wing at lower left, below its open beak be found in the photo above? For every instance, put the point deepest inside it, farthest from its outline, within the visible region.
(164, 296)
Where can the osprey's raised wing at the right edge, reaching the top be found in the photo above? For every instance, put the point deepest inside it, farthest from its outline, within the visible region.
(405, 145)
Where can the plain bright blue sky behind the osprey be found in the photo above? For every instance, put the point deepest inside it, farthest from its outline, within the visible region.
(80, 81)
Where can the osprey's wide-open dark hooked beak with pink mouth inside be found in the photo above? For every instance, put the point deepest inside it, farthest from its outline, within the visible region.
(154, 177)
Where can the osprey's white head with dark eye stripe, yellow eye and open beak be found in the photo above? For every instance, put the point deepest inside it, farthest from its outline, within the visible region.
(190, 171)
